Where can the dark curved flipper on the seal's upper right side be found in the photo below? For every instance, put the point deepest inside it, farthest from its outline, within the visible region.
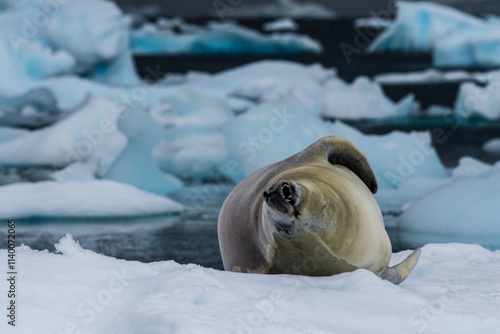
(340, 151)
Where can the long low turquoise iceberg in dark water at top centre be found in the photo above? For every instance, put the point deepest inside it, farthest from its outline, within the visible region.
(218, 38)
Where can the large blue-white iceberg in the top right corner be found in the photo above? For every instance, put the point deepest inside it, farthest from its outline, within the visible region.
(455, 39)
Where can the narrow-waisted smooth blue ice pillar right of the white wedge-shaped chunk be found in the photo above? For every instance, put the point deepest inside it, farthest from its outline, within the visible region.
(135, 163)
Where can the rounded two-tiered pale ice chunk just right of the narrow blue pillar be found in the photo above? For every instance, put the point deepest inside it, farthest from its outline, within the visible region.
(193, 146)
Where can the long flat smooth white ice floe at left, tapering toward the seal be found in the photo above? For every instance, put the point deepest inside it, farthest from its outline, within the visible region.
(80, 200)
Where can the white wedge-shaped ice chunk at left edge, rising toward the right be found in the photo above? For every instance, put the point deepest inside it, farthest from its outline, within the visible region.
(88, 134)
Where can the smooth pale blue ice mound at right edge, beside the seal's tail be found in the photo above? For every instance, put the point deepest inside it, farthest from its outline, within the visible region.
(466, 207)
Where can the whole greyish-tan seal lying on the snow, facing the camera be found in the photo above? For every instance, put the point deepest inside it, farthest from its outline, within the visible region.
(311, 214)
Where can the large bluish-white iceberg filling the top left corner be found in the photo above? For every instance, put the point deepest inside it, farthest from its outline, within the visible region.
(42, 40)
